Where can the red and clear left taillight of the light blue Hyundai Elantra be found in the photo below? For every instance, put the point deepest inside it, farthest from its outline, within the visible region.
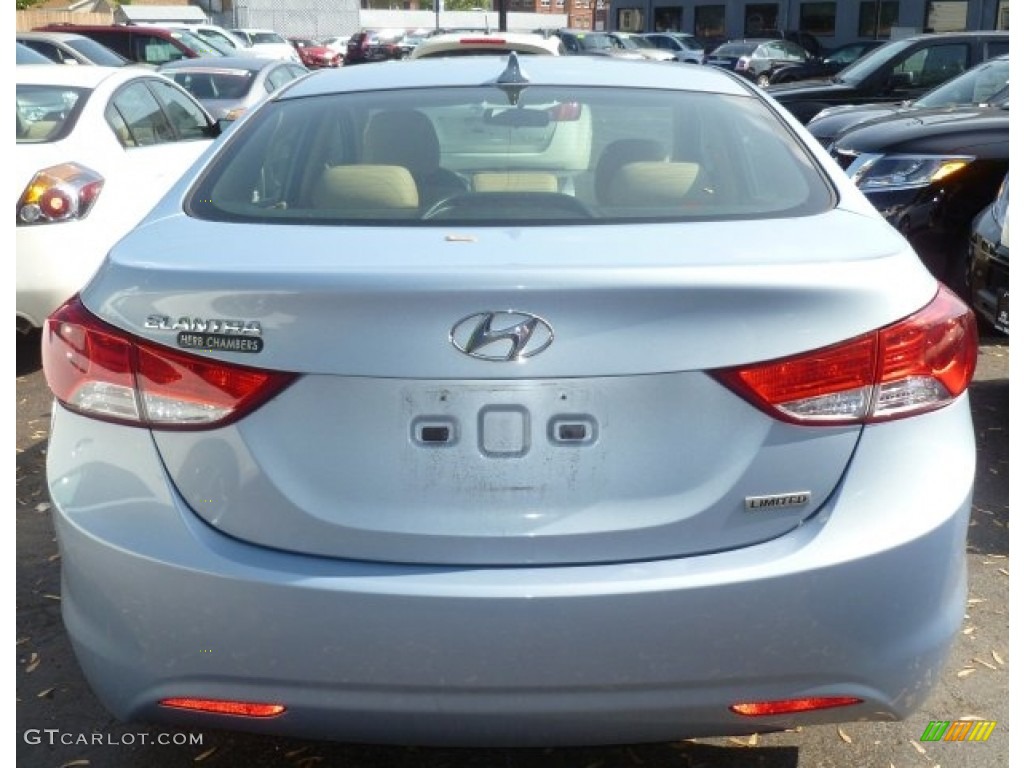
(100, 371)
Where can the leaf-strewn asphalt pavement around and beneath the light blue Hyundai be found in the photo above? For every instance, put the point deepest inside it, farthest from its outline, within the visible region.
(62, 726)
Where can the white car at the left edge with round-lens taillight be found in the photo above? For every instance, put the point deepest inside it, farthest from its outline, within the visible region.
(97, 148)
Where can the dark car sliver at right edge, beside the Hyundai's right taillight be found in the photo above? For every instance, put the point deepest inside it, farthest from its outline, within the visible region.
(989, 262)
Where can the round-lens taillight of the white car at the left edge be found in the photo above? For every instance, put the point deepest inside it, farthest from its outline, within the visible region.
(62, 193)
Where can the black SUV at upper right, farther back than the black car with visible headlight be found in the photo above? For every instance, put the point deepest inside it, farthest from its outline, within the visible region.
(899, 71)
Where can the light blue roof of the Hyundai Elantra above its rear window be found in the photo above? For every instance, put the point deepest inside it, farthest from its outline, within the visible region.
(558, 71)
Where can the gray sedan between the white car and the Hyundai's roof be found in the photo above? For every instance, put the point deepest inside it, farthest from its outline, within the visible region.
(230, 87)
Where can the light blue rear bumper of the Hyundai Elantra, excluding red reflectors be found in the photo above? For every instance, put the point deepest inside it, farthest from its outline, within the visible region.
(864, 601)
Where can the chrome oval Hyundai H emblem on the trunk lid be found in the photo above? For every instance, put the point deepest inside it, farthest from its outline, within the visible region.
(504, 336)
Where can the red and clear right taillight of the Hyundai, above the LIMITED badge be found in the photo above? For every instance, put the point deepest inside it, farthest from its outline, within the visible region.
(920, 364)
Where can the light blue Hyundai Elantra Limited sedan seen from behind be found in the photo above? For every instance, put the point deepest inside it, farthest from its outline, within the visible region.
(494, 402)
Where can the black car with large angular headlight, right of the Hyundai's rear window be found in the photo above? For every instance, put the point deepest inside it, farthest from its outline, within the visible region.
(930, 173)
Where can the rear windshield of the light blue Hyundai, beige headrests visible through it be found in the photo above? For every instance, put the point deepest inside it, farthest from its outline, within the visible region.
(436, 156)
